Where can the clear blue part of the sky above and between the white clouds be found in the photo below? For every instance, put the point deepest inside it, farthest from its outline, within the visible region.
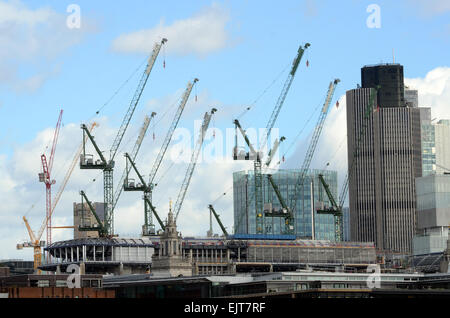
(262, 39)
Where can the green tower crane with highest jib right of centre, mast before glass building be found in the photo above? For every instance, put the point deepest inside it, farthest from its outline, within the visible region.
(256, 156)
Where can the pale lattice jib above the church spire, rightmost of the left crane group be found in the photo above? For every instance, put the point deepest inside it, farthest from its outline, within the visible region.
(194, 157)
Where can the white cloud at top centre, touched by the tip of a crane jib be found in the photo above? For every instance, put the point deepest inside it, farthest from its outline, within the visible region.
(200, 34)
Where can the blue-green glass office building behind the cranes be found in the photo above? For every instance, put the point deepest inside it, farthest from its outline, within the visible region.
(244, 203)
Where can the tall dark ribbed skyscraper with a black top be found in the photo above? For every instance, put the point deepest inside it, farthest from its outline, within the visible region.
(384, 155)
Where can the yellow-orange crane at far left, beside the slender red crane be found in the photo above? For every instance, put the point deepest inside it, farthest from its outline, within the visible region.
(35, 240)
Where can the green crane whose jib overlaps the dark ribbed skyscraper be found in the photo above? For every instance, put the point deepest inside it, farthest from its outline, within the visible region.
(336, 208)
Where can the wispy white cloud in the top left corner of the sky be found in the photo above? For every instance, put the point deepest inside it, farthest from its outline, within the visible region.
(30, 41)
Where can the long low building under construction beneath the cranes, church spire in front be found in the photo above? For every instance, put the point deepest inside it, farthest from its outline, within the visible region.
(172, 255)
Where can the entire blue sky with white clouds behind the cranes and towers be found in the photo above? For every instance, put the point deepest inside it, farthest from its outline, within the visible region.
(86, 57)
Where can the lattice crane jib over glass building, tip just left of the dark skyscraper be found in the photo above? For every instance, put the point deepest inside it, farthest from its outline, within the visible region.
(313, 144)
